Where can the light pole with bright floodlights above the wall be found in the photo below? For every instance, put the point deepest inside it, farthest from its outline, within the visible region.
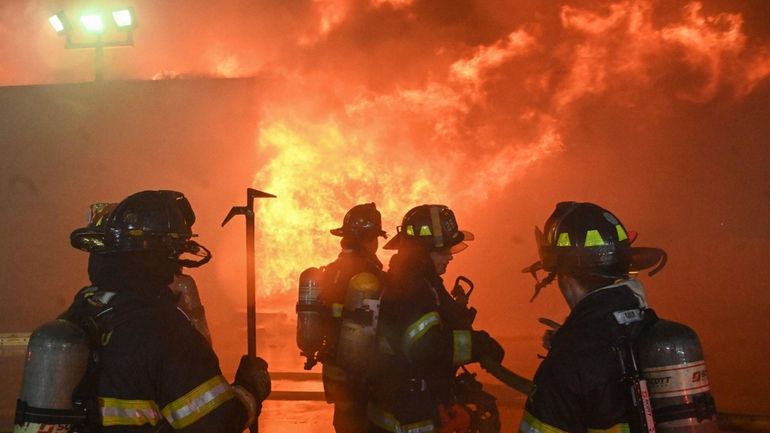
(97, 30)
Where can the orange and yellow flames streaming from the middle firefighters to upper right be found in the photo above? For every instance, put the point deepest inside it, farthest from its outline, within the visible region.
(484, 115)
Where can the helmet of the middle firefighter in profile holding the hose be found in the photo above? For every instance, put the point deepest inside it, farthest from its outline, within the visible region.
(432, 226)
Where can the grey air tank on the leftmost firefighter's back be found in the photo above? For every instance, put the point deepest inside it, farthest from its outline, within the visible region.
(57, 358)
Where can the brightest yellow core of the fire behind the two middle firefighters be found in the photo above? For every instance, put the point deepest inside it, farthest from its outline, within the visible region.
(318, 172)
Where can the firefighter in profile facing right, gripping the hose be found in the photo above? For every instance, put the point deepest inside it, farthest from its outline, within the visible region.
(423, 339)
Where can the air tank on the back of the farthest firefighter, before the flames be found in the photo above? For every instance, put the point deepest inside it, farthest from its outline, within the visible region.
(310, 326)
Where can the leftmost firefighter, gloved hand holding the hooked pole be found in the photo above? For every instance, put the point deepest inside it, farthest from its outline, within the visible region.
(150, 369)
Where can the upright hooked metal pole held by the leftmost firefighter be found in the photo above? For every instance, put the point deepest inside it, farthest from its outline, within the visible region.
(251, 308)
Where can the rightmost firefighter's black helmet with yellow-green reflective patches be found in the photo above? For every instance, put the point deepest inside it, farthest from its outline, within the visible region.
(584, 238)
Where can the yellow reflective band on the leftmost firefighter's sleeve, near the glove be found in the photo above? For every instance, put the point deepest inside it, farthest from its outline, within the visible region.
(198, 403)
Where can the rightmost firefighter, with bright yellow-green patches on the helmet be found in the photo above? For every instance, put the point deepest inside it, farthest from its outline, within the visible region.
(585, 382)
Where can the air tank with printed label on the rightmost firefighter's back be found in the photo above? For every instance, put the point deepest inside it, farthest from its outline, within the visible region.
(671, 358)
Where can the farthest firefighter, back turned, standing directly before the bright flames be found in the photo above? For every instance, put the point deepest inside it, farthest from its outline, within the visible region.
(357, 270)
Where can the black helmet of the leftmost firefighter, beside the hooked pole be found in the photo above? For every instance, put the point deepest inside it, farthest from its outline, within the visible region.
(147, 220)
